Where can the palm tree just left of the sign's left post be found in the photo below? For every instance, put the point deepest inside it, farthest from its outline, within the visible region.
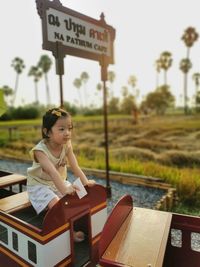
(45, 64)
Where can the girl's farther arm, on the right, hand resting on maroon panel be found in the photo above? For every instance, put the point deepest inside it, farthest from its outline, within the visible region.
(76, 169)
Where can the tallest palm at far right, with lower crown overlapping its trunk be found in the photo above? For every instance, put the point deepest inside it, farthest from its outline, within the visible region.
(189, 37)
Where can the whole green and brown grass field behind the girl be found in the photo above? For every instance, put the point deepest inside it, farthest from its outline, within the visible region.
(166, 147)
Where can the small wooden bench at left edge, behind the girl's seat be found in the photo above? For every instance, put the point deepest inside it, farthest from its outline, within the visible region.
(12, 179)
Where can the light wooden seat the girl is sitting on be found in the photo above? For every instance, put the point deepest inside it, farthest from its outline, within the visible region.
(15, 202)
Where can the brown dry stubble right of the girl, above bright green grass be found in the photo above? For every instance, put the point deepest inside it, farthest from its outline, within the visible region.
(171, 141)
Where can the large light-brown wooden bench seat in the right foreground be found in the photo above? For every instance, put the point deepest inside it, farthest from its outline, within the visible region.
(141, 240)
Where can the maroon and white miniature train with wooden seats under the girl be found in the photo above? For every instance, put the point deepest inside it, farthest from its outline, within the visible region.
(129, 236)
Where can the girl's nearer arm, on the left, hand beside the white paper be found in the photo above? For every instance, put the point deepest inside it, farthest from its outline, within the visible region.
(50, 169)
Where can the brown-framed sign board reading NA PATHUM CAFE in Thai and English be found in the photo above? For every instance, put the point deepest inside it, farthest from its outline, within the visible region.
(74, 33)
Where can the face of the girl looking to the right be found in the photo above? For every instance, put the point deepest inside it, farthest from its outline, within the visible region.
(61, 131)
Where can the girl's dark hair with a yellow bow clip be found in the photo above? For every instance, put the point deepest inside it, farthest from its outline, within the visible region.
(50, 118)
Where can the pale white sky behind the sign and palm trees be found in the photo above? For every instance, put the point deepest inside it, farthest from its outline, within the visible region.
(144, 29)
